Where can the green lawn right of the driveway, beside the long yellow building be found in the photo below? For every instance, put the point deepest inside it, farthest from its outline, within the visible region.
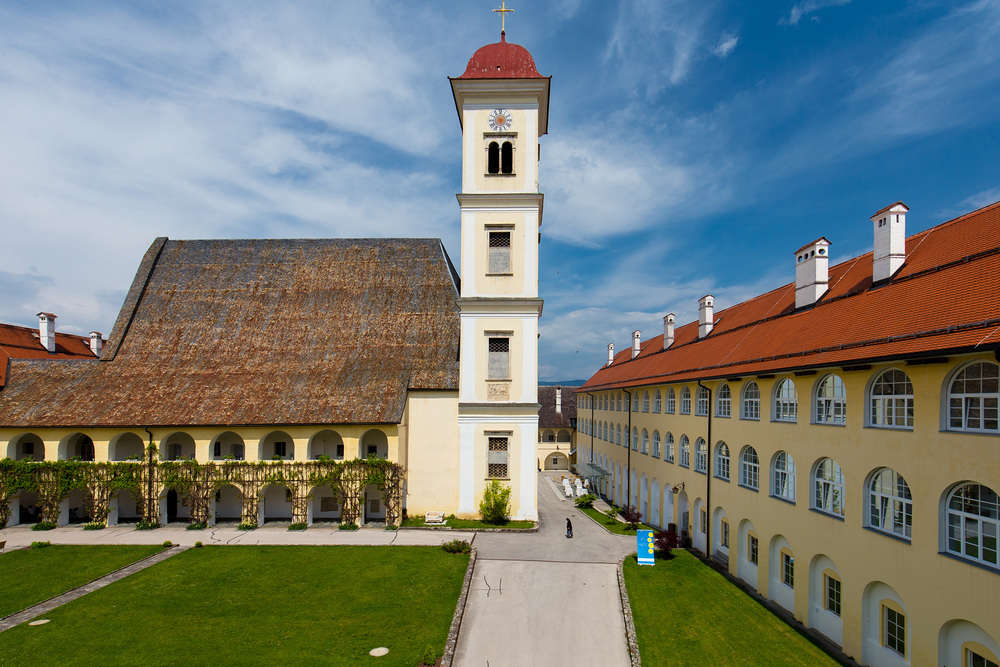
(688, 614)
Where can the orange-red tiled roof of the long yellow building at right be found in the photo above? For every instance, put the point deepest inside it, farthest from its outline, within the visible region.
(944, 299)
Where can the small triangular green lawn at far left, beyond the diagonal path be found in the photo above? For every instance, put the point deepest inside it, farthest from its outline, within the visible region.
(31, 576)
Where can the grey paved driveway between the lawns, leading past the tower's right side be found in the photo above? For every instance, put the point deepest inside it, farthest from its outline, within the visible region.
(542, 599)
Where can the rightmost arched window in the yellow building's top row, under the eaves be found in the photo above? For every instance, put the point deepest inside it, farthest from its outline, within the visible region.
(974, 399)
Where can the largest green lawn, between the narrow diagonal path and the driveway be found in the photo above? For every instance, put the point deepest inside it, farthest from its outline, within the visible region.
(285, 605)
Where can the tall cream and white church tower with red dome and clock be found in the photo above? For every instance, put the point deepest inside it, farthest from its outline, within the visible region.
(502, 104)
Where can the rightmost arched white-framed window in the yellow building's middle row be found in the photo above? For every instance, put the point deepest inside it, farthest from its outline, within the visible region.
(974, 523)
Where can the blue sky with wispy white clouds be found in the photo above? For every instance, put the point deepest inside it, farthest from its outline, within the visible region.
(692, 147)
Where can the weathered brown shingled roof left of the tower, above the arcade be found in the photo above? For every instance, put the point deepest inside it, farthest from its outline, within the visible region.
(259, 332)
